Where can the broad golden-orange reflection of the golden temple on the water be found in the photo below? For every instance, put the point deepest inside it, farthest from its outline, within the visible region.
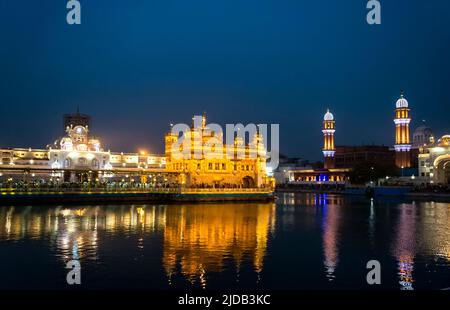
(199, 239)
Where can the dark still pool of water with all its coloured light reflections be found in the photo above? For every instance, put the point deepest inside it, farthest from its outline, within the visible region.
(303, 241)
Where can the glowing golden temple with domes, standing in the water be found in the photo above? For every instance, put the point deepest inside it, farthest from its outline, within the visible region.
(201, 168)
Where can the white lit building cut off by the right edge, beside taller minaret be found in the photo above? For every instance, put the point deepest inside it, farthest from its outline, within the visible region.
(434, 161)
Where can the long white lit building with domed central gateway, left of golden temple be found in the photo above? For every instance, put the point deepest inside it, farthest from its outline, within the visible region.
(76, 157)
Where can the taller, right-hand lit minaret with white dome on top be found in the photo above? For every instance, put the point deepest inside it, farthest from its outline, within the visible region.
(402, 143)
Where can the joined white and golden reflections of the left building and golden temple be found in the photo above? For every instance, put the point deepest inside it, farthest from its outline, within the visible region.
(197, 239)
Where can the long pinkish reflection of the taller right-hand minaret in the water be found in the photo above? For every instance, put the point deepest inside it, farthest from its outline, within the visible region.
(405, 245)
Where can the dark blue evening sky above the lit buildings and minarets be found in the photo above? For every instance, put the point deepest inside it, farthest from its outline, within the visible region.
(136, 66)
